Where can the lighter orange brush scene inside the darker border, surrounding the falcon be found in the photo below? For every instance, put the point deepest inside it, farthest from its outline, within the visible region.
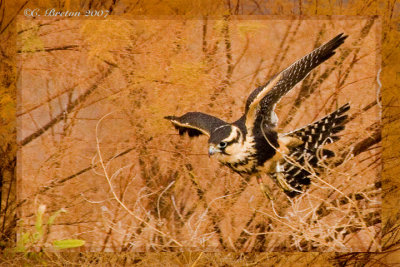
(92, 97)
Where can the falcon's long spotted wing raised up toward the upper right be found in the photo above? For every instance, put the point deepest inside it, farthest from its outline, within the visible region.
(263, 99)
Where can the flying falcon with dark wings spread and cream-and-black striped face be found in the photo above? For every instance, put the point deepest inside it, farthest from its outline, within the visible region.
(251, 146)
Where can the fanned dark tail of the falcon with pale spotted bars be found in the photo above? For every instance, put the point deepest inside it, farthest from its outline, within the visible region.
(295, 170)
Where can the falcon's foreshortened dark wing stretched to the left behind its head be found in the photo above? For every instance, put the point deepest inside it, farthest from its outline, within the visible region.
(196, 123)
